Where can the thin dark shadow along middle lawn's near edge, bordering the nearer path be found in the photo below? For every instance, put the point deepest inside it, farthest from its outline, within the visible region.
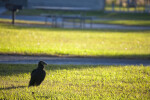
(61, 54)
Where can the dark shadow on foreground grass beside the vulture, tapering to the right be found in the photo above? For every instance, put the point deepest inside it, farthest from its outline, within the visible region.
(16, 69)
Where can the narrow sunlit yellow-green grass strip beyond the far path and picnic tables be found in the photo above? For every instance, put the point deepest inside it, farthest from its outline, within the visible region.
(109, 21)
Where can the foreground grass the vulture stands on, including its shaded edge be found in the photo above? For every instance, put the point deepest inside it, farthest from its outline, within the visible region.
(76, 82)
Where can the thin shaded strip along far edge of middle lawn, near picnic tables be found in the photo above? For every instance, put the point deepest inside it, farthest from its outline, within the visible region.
(34, 27)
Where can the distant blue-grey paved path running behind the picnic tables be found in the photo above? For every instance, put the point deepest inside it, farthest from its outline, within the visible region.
(70, 25)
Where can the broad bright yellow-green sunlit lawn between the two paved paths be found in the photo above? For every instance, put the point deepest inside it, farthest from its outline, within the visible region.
(74, 42)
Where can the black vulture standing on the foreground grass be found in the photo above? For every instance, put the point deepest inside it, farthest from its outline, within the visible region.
(38, 75)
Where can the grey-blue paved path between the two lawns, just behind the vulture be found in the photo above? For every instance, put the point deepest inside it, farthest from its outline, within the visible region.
(10, 59)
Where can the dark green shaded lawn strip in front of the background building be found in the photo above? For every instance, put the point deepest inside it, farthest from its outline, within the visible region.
(99, 14)
